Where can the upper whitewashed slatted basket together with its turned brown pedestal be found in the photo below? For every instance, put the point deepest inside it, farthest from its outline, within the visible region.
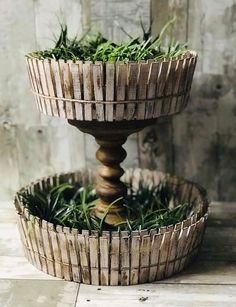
(111, 101)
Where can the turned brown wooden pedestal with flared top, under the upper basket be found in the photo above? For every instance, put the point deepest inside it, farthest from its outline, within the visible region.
(110, 189)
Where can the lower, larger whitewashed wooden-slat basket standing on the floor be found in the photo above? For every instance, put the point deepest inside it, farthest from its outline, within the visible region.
(115, 258)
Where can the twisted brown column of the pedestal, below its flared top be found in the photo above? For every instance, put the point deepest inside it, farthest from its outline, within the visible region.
(109, 188)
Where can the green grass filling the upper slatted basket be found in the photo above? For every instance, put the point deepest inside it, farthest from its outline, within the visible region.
(98, 48)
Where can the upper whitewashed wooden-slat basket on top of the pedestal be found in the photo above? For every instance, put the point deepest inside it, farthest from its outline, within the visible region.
(111, 91)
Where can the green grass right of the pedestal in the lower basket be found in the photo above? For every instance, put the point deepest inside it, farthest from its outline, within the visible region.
(149, 207)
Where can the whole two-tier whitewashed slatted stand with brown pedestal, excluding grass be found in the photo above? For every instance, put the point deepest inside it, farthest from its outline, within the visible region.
(111, 101)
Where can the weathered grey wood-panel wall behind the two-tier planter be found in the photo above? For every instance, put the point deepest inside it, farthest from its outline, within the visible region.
(199, 144)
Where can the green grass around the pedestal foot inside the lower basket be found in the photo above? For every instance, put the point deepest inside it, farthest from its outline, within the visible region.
(73, 206)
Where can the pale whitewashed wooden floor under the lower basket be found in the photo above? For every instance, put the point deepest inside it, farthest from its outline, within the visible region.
(211, 281)
